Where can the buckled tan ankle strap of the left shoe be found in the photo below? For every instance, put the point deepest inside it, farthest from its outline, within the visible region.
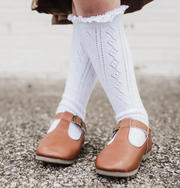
(75, 119)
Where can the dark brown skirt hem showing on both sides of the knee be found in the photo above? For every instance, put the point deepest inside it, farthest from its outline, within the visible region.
(60, 8)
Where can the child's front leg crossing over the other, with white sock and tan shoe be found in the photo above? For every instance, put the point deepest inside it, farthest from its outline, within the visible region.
(108, 49)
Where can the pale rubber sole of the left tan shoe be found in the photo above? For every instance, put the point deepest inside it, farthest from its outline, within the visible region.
(53, 160)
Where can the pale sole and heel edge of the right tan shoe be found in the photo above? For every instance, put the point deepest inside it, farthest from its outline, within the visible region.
(122, 174)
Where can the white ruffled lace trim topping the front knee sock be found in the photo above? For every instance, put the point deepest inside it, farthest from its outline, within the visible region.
(108, 16)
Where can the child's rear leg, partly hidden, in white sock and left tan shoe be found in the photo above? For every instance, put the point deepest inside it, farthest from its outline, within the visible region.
(66, 135)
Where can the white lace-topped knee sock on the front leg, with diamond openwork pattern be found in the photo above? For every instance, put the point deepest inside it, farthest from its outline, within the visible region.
(108, 49)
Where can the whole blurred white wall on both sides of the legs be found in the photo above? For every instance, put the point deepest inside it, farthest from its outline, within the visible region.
(31, 46)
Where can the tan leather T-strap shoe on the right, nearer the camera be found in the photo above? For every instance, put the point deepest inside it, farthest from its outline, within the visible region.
(120, 158)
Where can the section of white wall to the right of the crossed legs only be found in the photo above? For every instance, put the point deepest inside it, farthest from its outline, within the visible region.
(154, 36)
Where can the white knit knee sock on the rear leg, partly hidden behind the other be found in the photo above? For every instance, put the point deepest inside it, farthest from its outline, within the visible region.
(80, 81)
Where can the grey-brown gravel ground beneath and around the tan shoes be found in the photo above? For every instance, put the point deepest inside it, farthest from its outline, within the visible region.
(26, 106)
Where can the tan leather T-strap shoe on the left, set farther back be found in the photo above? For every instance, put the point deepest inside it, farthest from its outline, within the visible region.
(57, 146)
